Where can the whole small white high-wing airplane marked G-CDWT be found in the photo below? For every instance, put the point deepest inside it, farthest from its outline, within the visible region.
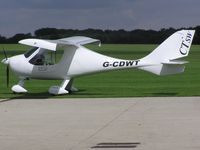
(77, 60)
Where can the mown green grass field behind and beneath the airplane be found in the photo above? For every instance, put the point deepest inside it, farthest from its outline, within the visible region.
(122, 83)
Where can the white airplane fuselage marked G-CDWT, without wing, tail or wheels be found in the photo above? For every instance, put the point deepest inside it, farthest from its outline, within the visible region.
(74, 62)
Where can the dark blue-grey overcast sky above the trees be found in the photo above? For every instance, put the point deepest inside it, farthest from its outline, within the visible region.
(24, 16)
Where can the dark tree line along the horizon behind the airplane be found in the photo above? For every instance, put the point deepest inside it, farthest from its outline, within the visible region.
(138, 36)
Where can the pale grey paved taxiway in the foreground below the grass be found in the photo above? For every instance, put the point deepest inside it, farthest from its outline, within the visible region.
(84, 124)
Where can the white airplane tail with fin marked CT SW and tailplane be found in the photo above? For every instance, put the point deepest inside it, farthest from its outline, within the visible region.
(165, 59)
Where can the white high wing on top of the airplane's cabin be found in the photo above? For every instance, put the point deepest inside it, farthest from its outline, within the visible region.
(52, 45)
